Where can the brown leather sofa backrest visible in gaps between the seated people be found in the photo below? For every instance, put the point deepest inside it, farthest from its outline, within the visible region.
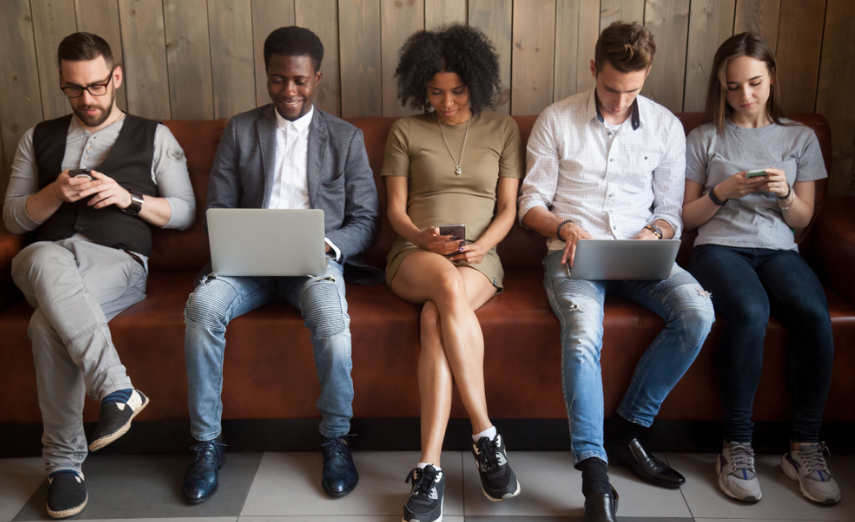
(522, 248)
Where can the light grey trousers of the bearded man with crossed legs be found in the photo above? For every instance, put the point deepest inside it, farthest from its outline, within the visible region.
(75, 288)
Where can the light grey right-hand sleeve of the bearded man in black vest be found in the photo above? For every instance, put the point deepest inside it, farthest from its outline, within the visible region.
(169, 170)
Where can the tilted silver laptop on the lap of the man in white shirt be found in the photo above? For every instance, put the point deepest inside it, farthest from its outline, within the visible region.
(624, 259)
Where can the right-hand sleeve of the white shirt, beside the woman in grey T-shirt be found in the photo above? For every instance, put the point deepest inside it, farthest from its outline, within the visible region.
(669, 180)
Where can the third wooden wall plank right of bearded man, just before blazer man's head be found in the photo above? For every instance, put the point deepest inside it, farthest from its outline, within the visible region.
(230, 23)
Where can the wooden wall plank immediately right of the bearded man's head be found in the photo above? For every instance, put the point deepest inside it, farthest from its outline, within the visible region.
(144, 45)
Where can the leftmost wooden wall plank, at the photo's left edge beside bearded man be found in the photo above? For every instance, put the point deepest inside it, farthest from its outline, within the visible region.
(19, 81)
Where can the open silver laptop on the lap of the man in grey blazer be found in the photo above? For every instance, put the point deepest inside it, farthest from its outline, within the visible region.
(266, 242)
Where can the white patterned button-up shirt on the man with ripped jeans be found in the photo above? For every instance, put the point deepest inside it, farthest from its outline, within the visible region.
(611, 183)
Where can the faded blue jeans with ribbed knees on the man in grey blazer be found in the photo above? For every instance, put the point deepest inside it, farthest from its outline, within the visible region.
(217, 300)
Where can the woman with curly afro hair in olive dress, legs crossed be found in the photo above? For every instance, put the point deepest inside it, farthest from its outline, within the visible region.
(457, 163)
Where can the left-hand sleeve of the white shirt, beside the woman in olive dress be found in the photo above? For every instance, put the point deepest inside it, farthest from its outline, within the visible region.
(541, 179)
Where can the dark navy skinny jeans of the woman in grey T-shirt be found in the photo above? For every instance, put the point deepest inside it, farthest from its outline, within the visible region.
(749, 284)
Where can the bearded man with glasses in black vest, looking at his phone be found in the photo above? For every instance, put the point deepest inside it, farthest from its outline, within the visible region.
(90, 184)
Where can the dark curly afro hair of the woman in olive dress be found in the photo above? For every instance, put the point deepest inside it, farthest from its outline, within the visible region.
(455, 48)
